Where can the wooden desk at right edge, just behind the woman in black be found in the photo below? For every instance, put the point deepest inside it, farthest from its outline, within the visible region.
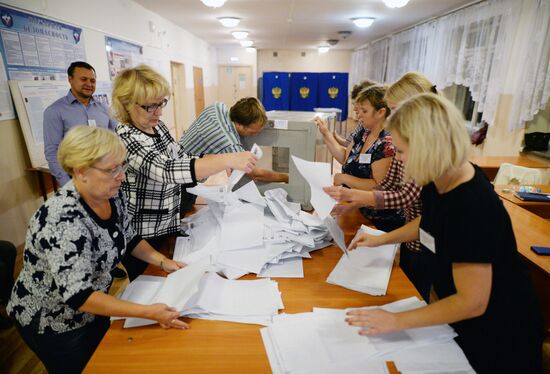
(529, 230)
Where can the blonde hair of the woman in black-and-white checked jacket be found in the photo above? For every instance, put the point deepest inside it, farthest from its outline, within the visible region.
(136, 86)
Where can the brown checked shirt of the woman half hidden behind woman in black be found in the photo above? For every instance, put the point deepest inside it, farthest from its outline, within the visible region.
(392, 193)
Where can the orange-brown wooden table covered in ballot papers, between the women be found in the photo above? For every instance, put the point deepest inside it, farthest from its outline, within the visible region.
(225, 347)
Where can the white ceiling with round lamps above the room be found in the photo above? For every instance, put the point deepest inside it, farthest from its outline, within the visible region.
(296, 24)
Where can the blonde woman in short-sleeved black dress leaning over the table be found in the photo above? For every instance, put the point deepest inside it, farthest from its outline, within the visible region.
(483, 286)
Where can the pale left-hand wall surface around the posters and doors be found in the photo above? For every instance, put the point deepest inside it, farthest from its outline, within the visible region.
(123, 19)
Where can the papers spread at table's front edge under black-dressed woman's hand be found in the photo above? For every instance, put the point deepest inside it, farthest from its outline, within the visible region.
(322, 342)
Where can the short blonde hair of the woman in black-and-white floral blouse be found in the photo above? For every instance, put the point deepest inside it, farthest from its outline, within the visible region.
(83, 146)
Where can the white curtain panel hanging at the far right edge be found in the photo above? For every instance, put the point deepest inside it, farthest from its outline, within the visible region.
(533, 83)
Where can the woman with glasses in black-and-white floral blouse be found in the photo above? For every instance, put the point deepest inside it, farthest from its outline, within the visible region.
(60, 300)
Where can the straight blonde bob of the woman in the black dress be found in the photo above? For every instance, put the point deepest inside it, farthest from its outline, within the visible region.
(434, 130)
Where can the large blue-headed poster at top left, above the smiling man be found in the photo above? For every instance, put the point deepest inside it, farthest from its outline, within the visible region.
(37, 48)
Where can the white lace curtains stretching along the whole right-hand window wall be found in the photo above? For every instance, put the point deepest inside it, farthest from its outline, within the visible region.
(473, 47)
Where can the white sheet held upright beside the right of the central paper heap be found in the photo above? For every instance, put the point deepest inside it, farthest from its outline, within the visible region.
(317, 175)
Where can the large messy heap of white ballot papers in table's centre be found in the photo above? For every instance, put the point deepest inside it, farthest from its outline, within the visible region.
(243, 232)
